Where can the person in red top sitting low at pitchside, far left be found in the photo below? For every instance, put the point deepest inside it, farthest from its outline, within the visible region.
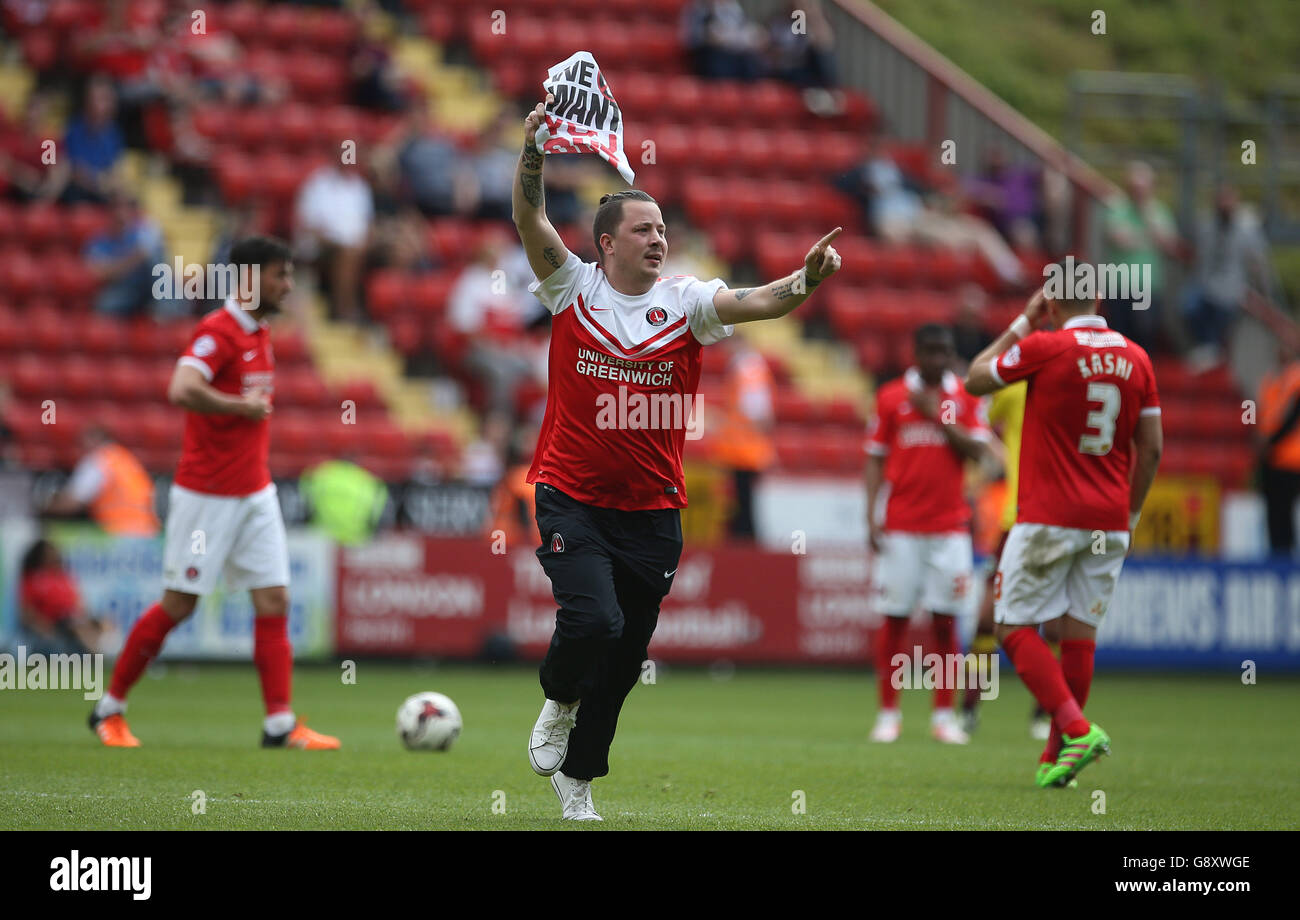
(51, 614)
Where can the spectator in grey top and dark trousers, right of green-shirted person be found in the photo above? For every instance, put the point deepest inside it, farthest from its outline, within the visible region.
(1232, 253)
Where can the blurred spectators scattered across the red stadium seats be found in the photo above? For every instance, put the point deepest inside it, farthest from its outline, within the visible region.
(145, 81)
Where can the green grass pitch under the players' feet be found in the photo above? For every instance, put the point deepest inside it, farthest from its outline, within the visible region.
(694, 753)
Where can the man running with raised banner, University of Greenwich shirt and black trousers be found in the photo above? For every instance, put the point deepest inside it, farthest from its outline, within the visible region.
(625, 367)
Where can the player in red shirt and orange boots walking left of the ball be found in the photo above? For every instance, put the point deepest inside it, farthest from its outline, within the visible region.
(223, 515)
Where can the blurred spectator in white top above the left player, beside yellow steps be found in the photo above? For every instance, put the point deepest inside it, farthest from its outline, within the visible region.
(333, 218)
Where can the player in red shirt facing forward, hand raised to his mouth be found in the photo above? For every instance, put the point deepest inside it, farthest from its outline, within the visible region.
(924, 431)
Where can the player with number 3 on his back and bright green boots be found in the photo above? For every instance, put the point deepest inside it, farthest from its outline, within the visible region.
(1090, 450)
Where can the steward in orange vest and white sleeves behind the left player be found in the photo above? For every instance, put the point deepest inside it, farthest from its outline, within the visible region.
(112, 487)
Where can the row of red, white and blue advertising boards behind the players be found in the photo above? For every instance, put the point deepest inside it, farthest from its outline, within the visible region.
(414, 596)
